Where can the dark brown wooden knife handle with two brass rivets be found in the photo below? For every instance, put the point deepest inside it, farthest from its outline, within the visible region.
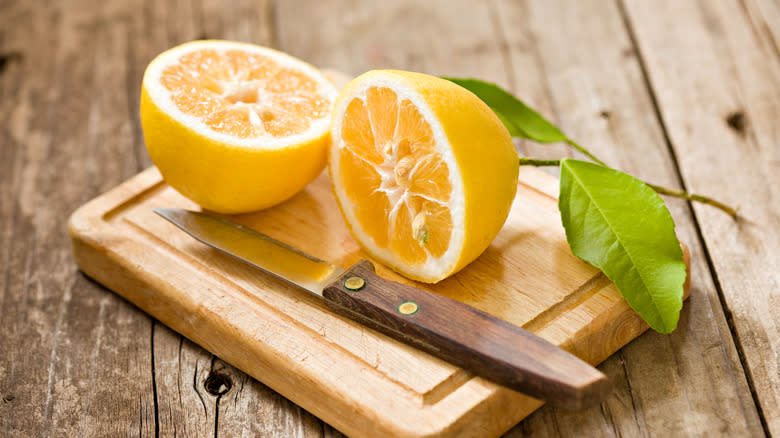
(467, 337)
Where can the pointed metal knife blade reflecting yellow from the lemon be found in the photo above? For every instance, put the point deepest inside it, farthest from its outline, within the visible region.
(255, 248)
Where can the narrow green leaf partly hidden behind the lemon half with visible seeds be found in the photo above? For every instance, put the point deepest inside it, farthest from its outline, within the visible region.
(519, 119)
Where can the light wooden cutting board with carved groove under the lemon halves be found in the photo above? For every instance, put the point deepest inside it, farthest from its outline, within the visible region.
(355, 379)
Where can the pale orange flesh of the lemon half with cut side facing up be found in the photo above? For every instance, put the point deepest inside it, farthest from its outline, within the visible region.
(246, 95)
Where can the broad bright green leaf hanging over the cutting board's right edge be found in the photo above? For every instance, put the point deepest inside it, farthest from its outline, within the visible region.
(620, 225)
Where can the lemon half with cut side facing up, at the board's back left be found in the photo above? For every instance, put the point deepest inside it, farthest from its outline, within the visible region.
(233, 126)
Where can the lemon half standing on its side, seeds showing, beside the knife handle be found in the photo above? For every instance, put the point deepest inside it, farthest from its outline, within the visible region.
(424, 172)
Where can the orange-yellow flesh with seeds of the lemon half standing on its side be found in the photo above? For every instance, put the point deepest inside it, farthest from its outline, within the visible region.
(394, 173)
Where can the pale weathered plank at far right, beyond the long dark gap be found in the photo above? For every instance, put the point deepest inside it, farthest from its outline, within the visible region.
(720, 103)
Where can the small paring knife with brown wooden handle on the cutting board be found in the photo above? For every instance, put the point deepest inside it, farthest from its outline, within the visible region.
(460, 334)
